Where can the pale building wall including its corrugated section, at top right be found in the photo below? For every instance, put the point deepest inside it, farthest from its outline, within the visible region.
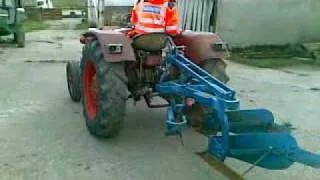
(258, 22)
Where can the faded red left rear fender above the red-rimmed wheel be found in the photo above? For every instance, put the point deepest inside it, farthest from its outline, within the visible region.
(113, 38)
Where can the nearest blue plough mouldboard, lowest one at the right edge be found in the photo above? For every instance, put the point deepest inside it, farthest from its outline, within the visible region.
(284, 150)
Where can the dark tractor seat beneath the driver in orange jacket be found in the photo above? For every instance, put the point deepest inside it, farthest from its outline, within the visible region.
(153, 42)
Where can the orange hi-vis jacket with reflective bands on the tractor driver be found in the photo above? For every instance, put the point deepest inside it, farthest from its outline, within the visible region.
(155, 16)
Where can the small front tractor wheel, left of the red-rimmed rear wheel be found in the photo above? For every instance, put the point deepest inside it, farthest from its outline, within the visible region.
(73, 80)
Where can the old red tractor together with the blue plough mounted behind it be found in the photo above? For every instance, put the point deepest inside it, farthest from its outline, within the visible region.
(188, 71)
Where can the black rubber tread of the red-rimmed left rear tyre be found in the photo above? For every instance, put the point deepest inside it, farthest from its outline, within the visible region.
(113, 94)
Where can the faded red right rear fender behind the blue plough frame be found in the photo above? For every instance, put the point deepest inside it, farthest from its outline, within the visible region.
(199, 46)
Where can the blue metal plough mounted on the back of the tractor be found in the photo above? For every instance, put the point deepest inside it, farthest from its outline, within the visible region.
(248, 135)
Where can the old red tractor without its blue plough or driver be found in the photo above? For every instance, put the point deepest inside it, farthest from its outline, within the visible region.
(113, 64)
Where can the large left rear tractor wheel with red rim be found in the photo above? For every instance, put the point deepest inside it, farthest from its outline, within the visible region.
(104, 92)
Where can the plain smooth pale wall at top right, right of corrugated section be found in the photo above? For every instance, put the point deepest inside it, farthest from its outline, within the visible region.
(252, 22)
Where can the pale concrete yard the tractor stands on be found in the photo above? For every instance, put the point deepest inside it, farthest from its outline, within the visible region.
(43, 133)
